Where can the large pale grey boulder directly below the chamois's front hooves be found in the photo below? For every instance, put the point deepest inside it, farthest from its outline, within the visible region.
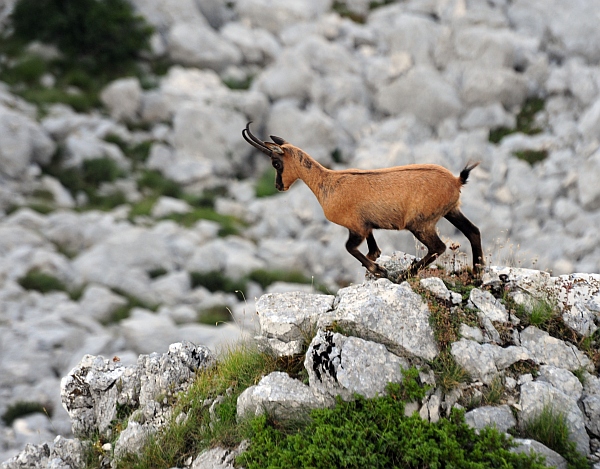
(385, 312)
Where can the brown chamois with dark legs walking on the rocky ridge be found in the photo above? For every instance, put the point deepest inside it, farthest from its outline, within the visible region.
(412, 197)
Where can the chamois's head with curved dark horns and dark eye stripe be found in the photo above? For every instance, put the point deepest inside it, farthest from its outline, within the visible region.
(284, 157)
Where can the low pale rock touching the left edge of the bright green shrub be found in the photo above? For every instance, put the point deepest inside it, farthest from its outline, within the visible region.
(279, 396)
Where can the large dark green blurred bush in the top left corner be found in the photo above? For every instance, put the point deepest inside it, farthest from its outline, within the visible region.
(97, 41)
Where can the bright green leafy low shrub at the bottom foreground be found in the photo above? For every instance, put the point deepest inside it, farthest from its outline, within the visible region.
(375, 433)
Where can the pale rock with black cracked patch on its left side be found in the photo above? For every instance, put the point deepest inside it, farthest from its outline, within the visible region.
(344, 366)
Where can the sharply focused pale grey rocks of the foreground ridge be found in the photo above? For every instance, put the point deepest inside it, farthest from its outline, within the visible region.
(385, 327)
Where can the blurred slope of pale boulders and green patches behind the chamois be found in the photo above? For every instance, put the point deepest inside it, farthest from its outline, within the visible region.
(133, 215)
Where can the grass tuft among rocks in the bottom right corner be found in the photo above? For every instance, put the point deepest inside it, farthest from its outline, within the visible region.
(550, 428)
